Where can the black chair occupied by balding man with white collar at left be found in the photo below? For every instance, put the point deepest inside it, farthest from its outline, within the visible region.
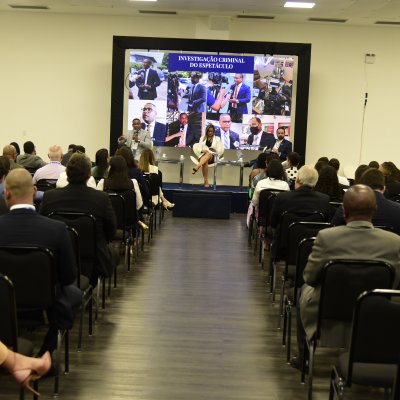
(32, 271)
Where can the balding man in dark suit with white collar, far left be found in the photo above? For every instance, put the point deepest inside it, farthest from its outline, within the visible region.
(24, 226)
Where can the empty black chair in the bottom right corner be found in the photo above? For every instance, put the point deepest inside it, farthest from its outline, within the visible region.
(373, 355)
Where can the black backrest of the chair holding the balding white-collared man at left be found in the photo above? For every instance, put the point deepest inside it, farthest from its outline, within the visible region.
(33, 273)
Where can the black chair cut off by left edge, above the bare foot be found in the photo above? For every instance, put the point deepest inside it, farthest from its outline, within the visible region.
(9, 326)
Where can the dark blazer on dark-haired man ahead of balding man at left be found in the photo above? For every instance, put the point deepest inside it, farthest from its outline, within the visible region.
(80, 198)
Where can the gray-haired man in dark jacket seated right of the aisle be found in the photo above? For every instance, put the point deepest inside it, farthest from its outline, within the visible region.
(303, 198)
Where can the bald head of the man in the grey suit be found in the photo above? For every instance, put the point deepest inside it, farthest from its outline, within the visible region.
(359, 203)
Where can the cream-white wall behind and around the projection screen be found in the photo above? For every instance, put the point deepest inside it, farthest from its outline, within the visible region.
(56, 79)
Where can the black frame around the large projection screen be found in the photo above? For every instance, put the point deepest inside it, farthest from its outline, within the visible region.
(123, 43)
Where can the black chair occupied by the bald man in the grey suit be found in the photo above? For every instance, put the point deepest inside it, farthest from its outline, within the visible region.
(349, 278)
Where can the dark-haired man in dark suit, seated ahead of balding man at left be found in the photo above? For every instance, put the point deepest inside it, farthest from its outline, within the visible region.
(78, 197)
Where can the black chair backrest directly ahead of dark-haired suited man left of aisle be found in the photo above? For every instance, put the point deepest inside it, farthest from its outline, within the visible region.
(124, 205)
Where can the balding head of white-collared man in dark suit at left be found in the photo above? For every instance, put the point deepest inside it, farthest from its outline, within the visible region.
(18, 187)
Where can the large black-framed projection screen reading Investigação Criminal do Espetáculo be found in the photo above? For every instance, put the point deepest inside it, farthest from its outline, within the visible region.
(258, 63)
